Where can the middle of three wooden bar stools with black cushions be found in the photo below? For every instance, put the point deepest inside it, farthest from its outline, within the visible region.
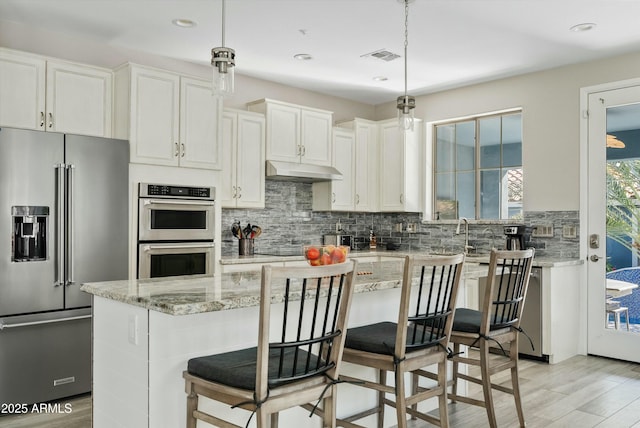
(419, 339)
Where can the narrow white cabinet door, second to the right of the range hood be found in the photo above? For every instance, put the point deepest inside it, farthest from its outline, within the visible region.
(366, 166)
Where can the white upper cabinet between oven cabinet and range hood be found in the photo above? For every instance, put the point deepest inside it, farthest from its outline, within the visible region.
(243, 152)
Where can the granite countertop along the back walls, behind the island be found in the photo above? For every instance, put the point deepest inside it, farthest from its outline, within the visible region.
(474, 258)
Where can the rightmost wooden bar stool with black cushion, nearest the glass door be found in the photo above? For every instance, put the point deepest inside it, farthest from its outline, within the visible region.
(496, 324)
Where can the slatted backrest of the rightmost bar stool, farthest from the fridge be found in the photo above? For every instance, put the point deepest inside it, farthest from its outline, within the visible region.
(506, 290)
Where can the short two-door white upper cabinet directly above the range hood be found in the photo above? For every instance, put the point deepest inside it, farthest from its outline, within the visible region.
(296, 133)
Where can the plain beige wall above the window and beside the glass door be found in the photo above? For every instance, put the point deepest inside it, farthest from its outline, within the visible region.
(551, 121)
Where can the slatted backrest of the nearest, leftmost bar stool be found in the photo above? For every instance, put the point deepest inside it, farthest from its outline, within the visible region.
(307, 338)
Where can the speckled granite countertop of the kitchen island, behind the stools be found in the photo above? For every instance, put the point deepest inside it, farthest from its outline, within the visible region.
(184, 295)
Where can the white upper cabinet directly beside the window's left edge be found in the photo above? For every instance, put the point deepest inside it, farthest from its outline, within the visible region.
(400, 167)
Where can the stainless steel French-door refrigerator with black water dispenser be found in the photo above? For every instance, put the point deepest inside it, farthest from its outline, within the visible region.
(63, 221)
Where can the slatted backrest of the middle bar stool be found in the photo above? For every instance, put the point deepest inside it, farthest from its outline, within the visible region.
(429, 291)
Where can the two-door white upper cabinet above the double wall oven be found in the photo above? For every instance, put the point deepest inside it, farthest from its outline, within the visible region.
(169, 119)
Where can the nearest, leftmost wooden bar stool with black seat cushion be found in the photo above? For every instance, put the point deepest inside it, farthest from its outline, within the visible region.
(299, 367)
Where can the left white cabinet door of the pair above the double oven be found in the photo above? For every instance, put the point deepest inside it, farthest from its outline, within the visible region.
(154, 127)
